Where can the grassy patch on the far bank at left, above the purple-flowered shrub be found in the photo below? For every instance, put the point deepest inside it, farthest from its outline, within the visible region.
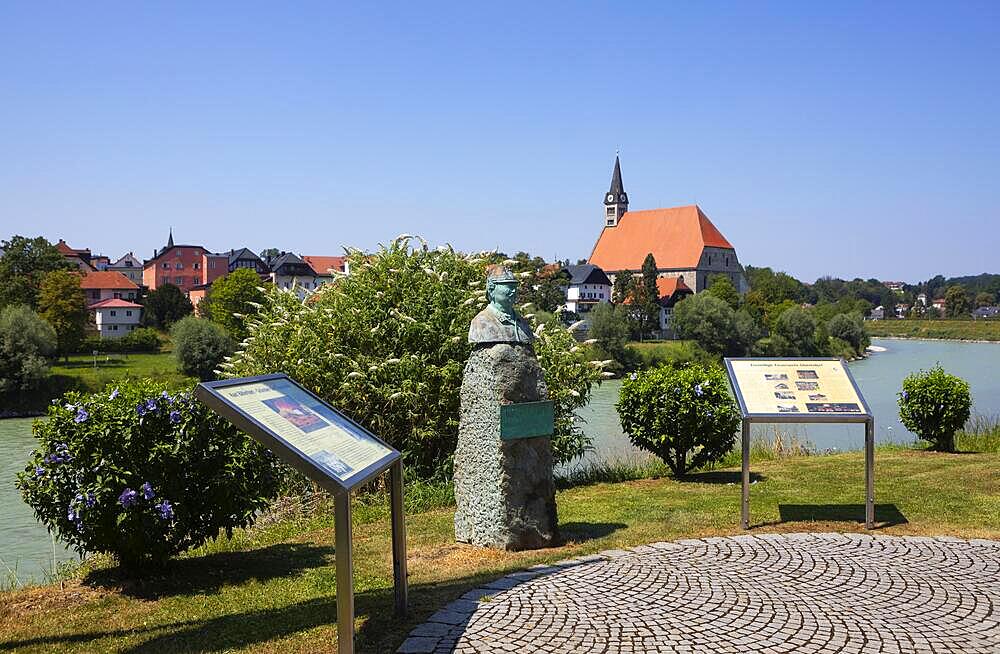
(80, 374)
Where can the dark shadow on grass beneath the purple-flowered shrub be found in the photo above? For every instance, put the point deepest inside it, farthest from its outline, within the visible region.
(206, 574)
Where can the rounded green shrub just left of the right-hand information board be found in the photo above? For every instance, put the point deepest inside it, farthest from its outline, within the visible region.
(683, 415)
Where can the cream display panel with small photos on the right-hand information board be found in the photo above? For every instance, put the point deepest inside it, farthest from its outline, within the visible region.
(807, 387)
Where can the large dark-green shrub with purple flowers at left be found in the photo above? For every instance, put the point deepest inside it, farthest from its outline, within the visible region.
(142, 474)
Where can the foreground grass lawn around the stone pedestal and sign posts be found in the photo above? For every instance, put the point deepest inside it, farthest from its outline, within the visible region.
(272, 589)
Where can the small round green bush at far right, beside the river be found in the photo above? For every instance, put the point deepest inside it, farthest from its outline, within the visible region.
(934, 405)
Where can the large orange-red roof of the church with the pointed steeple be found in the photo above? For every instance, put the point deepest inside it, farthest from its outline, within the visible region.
(675, 236)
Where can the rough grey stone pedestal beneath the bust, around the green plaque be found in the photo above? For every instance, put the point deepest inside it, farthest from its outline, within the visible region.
(504, 489)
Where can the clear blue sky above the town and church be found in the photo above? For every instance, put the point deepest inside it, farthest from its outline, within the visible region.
(821, 138)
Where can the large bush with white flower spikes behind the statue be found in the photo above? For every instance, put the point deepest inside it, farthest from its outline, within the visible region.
(387, 345)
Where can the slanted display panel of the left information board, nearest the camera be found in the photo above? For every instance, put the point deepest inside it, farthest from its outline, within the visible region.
(305, 424)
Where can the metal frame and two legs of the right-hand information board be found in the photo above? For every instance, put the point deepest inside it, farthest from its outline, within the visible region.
(866, 418)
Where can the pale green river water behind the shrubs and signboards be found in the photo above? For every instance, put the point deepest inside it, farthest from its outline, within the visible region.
(26, 547)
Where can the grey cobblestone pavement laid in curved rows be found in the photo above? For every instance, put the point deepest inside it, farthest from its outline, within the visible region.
(764, 593)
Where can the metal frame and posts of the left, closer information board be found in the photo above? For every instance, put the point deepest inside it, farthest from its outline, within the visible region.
(207, 393)
